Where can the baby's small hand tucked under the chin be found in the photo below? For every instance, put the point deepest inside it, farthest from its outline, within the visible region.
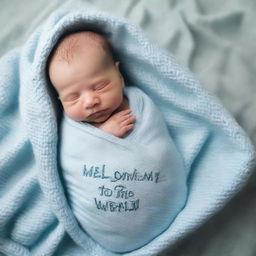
(119, 124)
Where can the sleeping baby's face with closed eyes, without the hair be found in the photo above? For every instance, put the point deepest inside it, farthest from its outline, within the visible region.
(90, 86)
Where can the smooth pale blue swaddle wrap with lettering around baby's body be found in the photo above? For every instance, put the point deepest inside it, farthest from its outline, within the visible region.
(123, 191)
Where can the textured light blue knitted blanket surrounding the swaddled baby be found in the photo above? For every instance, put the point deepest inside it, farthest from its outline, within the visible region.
(35, 217)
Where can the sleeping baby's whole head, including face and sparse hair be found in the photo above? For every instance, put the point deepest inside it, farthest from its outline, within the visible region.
(86, 77)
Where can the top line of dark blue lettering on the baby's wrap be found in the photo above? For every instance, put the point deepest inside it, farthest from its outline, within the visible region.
(99, 172)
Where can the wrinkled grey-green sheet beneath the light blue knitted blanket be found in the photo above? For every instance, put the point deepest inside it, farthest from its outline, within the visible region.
(215, 40)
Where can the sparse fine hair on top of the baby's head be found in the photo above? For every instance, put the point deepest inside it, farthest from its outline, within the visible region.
(65, 48)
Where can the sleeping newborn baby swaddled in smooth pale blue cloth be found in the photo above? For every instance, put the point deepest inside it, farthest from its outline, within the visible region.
(124, 178)
